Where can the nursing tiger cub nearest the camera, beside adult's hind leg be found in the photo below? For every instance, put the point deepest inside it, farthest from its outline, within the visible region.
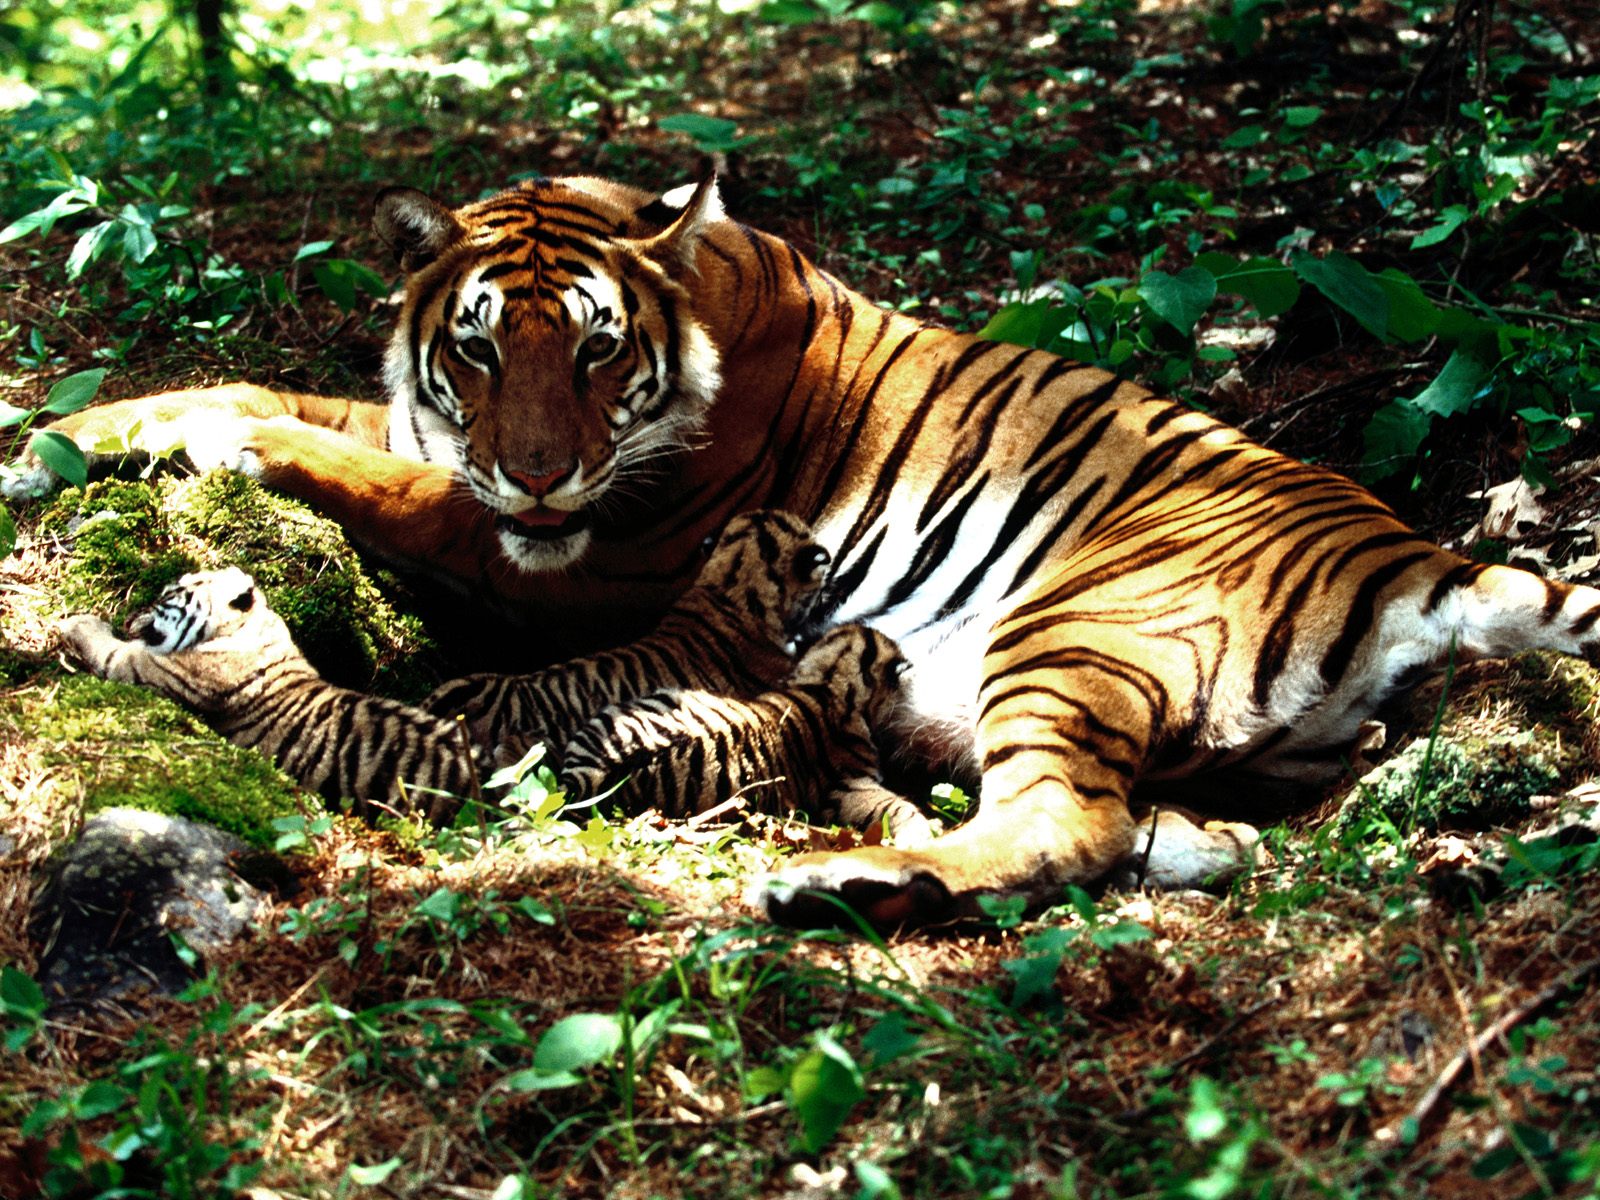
(807, 743)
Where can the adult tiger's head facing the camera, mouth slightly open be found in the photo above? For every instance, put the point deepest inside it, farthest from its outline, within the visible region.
(548, 348)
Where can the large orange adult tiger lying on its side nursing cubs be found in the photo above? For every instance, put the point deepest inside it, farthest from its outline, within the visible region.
(1095, 586)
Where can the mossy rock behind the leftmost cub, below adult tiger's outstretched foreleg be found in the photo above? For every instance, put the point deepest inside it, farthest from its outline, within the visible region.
(130, 540)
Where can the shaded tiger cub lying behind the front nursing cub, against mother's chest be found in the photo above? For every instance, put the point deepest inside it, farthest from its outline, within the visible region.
(729, 634)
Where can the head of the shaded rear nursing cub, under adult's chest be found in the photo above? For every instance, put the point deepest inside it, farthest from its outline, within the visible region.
(770, 567)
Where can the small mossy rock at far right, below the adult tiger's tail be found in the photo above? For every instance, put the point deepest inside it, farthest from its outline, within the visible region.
(1454, 783)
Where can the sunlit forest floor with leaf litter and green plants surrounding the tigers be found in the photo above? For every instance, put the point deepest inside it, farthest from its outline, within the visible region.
(553, 1004)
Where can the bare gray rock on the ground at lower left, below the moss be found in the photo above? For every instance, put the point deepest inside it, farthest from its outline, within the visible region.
(116, 897)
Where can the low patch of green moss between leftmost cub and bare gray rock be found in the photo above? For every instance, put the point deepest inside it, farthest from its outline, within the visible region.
(135, 750)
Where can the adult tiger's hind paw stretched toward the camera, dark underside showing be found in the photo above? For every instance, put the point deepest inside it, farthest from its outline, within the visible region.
(887, 889)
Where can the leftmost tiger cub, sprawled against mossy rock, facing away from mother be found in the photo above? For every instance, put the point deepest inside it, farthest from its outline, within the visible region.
(215, 646)
